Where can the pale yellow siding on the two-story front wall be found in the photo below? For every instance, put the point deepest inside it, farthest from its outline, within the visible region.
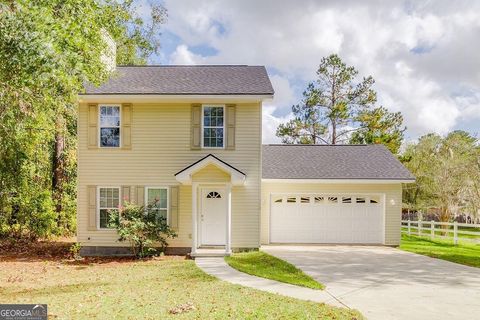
(160, 148)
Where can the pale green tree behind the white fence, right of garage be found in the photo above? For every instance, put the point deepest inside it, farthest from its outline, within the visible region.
(446, 171)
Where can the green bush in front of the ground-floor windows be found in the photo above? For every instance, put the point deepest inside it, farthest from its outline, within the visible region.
(142, 227)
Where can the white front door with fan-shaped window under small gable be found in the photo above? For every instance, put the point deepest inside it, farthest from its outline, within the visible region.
(213, 217)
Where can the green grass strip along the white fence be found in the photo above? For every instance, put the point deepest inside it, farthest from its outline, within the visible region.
(464, 253)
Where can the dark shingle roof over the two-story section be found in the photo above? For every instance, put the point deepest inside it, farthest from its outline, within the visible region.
(187, 80)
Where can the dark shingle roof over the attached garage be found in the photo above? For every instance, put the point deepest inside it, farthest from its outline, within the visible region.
(331, 162)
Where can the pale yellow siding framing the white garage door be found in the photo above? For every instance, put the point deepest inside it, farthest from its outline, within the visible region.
(393, 203)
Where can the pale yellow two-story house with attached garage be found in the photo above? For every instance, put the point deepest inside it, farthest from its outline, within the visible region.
(191, 137)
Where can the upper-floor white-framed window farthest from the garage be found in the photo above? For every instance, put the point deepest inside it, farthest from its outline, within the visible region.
(109, 126)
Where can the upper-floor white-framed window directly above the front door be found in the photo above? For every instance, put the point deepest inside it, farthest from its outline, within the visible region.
(213, 126)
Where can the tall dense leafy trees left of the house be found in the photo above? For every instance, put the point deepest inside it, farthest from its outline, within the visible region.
(49, 49)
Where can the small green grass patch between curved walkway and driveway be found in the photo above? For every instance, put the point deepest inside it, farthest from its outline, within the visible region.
(263, 265)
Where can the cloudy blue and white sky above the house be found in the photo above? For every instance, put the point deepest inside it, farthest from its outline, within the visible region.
(424, 55)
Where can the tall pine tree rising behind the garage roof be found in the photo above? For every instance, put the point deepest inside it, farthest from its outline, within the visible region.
(336, 106)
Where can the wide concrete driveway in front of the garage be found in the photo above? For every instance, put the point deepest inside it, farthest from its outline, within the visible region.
(387, 283)
